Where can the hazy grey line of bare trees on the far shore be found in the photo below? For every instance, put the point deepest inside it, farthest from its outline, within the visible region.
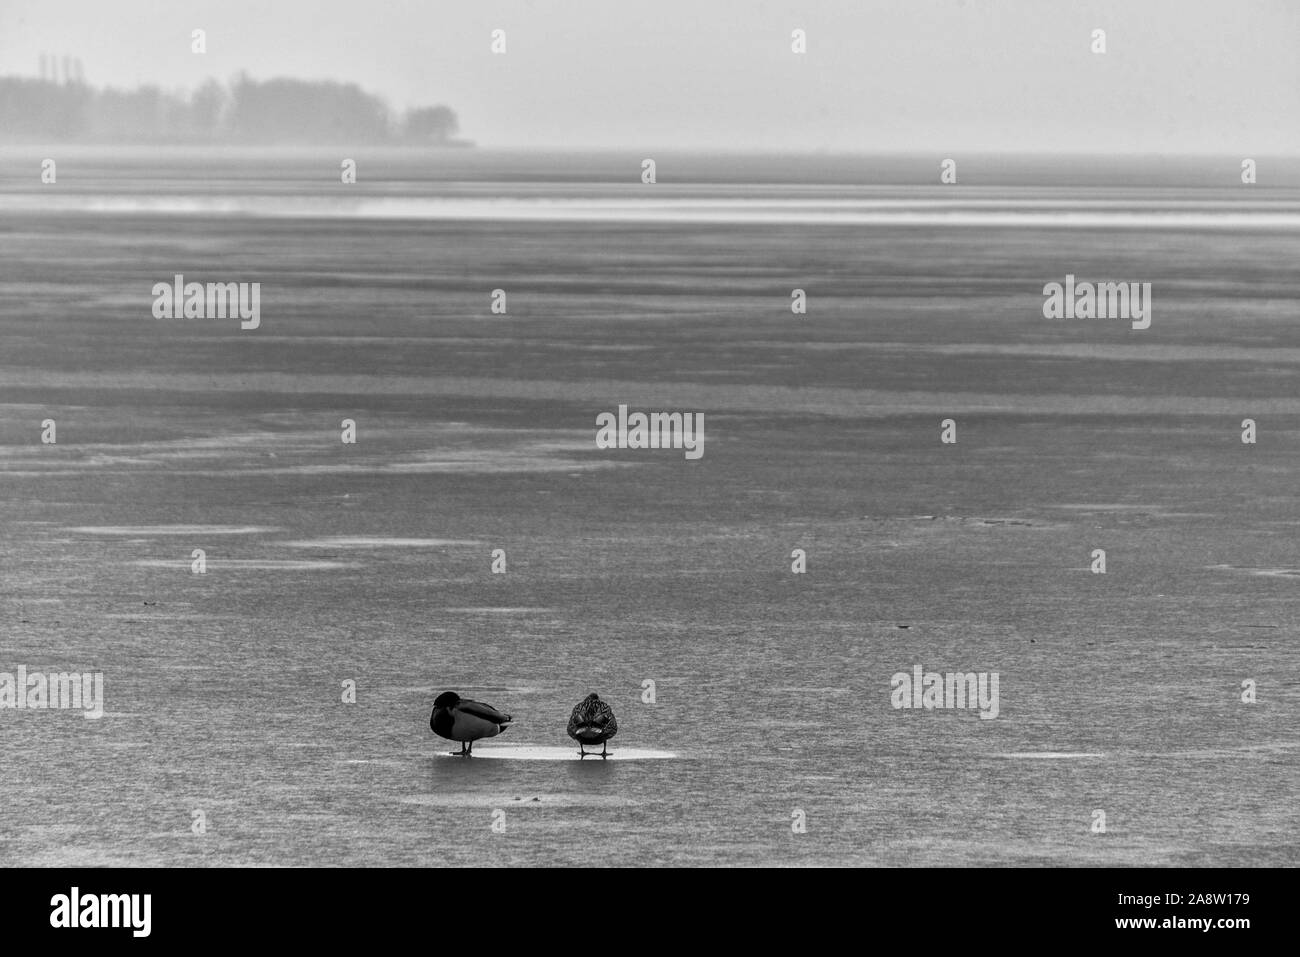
(248, 111)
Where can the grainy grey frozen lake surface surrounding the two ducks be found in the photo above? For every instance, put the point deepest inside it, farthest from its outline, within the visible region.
(371, 562)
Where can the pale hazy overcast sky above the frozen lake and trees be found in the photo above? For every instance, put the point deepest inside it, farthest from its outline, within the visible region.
(1180, 76)
